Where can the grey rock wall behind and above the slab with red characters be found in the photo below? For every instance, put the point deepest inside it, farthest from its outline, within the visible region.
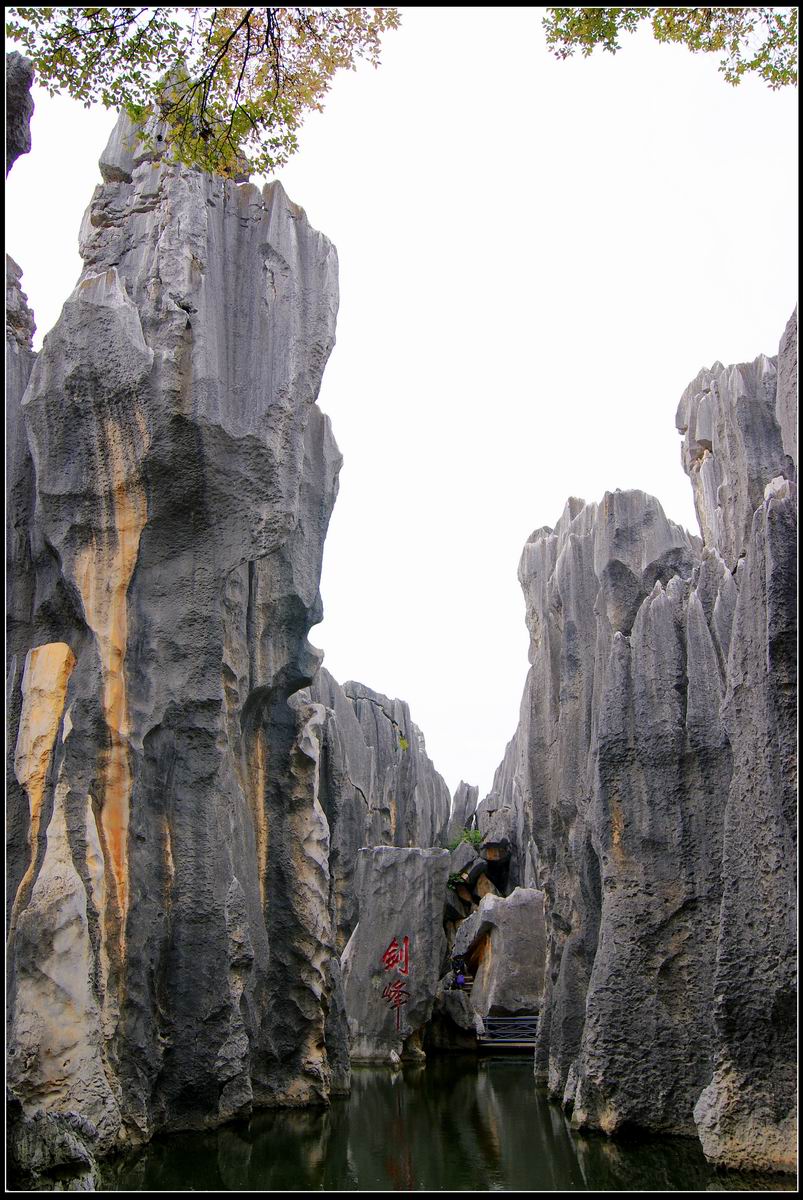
(377, 785)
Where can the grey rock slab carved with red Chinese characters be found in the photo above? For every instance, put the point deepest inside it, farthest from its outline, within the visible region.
(394, 957)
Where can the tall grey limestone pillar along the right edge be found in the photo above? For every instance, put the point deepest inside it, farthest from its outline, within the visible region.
(740, 449)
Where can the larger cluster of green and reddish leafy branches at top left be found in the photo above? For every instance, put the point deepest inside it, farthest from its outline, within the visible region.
(231, 85)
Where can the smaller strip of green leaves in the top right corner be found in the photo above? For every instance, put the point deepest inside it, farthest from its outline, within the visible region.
(752, 41)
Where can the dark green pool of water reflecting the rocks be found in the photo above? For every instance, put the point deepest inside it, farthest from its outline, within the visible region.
(459, 1124)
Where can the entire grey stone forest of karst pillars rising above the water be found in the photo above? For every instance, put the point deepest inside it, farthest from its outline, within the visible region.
(232, 880)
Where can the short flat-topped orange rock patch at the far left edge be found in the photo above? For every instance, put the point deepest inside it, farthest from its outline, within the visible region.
(45, 689)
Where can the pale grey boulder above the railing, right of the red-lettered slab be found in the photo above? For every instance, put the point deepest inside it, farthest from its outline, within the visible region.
(505, 946)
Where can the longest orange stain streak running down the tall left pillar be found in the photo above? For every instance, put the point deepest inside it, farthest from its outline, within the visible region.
(104, 571)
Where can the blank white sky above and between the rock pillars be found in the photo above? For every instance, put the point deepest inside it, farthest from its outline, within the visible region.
(536, 260)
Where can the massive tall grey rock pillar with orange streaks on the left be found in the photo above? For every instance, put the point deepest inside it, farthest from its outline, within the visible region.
(171, 481)
